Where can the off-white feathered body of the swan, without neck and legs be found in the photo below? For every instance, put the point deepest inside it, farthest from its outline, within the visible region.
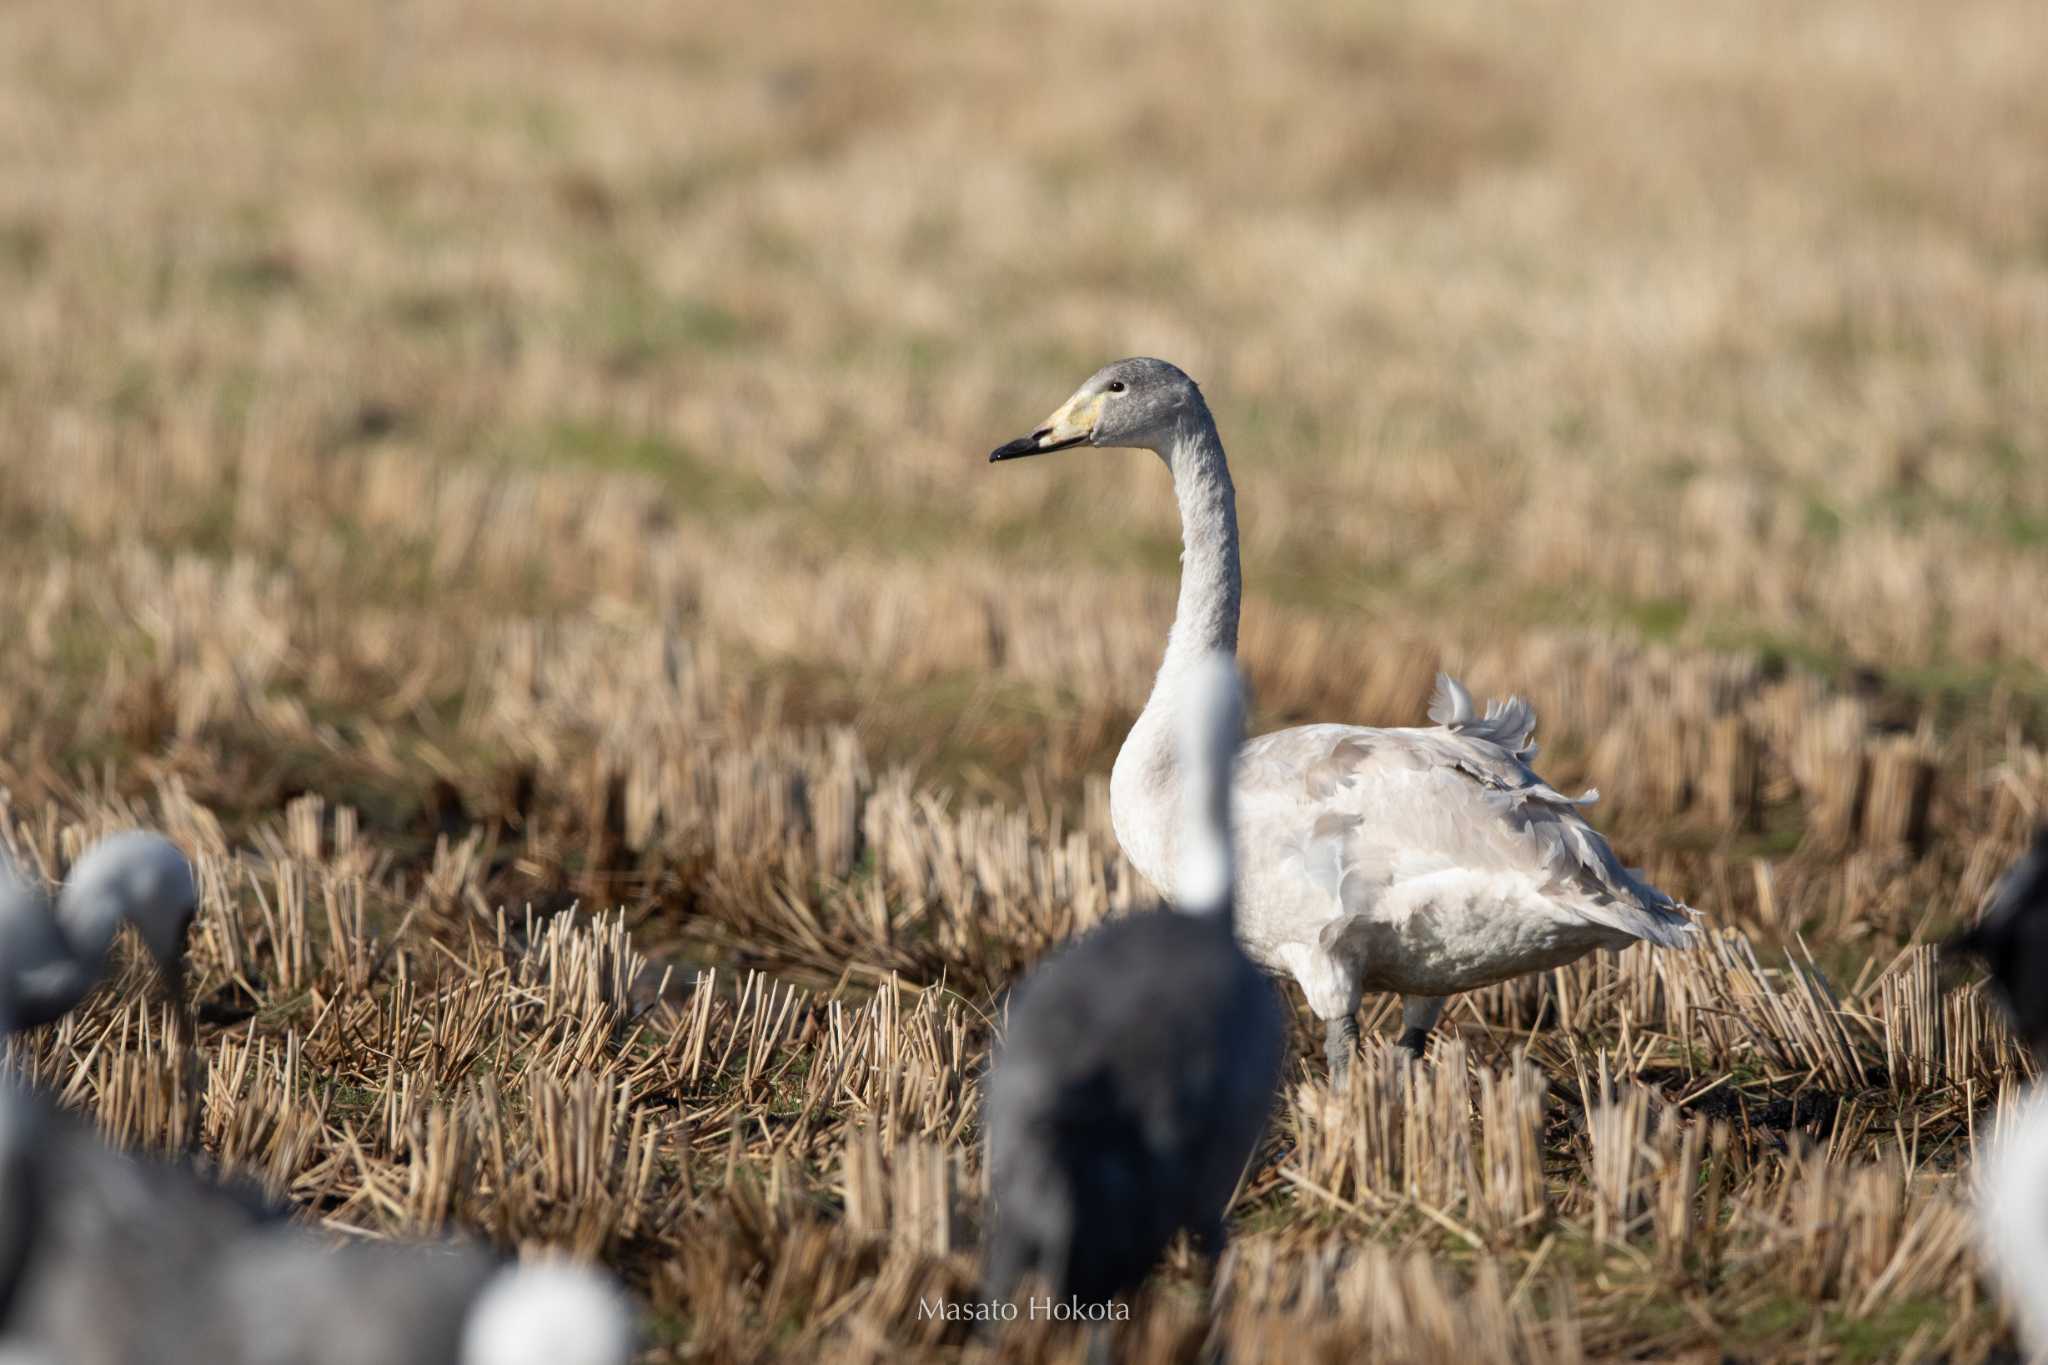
(1424, 861)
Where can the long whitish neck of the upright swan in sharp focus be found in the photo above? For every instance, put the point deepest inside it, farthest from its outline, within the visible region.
(1146, 787)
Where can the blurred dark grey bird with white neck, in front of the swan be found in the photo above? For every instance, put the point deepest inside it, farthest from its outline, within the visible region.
(1140, 1065)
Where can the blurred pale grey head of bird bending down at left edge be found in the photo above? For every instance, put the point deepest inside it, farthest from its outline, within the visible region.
(142, 879)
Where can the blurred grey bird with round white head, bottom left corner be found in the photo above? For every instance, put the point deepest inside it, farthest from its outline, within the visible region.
(118, 1260)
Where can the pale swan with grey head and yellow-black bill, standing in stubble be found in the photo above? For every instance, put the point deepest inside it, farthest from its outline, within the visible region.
(1422, 861)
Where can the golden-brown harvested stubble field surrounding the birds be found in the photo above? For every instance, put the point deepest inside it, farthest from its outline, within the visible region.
(554, 433)
